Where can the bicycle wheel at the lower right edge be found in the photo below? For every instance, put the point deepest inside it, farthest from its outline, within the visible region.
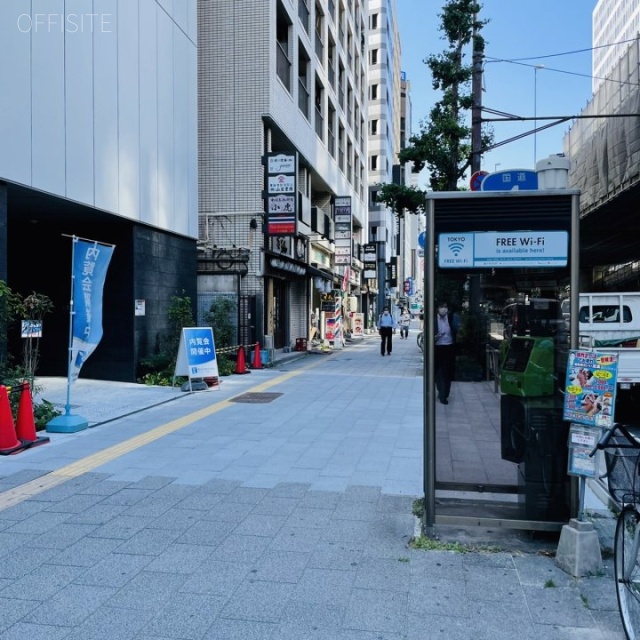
(627, 570)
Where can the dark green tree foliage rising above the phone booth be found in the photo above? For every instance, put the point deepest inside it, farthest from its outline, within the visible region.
(444, 144)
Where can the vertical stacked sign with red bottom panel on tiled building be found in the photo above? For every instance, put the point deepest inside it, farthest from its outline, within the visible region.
(280, 203)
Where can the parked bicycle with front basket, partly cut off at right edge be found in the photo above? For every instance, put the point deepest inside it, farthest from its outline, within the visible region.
(622, 457)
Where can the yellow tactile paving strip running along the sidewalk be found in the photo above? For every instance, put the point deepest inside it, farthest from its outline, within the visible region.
(54, 478)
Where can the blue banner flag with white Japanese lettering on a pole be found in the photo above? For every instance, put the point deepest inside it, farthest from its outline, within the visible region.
(90, 264)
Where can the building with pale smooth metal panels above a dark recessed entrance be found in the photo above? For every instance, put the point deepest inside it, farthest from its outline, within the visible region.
(98, 124)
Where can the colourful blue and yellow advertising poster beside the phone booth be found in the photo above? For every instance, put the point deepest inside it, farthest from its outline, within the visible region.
(590, 388)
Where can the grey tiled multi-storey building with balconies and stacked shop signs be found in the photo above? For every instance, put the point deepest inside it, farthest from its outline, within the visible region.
(282, 135)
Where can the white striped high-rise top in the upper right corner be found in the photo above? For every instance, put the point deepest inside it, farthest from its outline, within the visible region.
(614, 23)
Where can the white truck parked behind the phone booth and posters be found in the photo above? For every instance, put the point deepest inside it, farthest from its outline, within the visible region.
(611, 322)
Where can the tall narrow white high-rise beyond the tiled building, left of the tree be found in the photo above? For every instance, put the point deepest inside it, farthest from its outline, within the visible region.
(384, 117)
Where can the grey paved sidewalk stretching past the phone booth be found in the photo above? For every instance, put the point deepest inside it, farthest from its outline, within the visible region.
(277, 507)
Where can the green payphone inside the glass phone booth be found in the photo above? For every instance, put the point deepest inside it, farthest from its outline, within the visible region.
(528, 367)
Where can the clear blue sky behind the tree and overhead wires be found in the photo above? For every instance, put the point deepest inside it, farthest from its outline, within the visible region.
(538, 31)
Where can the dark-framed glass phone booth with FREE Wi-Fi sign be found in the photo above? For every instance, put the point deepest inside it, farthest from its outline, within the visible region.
(507, 264)
